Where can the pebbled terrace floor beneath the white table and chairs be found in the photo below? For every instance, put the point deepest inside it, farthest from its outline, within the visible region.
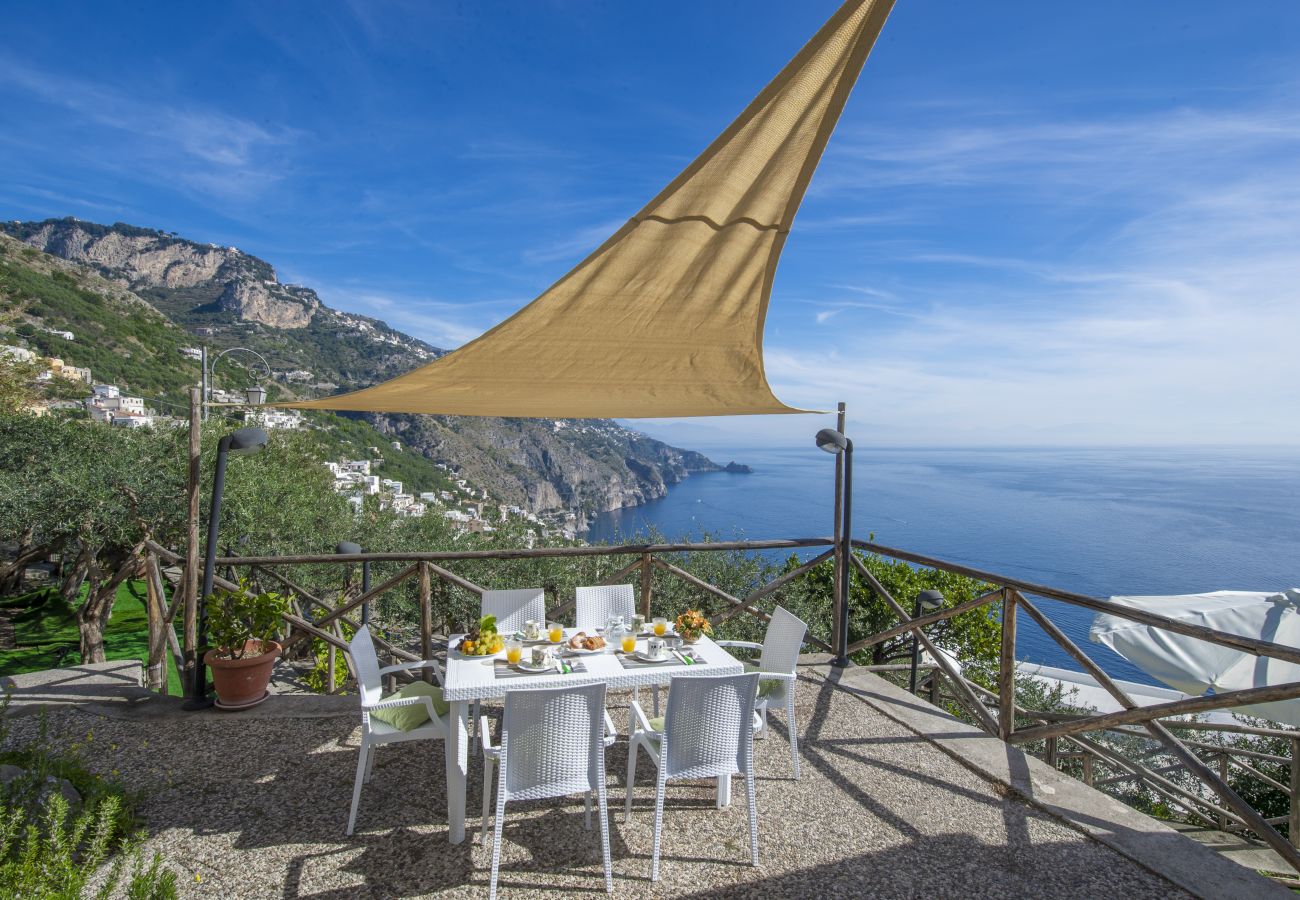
(255, 806)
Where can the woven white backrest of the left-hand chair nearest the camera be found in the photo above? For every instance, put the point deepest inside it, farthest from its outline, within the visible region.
(553, 742)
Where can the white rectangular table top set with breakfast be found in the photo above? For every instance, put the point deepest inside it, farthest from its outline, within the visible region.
(474, 678)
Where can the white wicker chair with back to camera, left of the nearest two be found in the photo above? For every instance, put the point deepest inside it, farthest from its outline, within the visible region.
(552, 746)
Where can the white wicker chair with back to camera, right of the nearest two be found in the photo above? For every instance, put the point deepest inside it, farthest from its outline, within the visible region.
(708, 732)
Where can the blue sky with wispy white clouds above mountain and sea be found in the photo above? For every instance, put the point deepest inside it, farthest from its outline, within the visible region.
(1037, 223)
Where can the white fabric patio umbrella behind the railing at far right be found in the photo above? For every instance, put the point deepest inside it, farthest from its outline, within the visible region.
(1199, 668)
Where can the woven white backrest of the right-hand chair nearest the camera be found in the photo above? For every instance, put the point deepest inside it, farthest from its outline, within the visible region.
(709, 728)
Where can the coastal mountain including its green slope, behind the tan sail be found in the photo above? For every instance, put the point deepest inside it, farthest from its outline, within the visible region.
(184, 293)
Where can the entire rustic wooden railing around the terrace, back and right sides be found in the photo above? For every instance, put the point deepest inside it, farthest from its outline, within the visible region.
(1060, 738)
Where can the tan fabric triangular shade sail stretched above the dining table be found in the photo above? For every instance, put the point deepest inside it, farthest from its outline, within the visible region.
(666, 318)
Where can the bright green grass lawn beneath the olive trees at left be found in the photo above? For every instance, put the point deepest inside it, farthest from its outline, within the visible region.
(47, 637)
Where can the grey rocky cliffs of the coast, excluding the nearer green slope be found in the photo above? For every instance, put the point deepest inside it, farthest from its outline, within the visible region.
(228, 298)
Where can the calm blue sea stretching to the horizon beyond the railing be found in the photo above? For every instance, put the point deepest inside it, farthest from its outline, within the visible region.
(1098, 522)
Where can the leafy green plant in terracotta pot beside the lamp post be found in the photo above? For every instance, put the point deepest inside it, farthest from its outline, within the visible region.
(242, 626)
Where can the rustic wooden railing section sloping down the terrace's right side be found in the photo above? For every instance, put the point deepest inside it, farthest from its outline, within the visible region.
(996, 712)
